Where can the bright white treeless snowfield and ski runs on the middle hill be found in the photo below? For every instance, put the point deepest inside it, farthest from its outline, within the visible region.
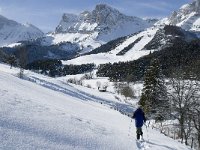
(136, 51)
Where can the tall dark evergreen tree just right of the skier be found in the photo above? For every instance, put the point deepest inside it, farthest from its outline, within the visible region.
(154, 94)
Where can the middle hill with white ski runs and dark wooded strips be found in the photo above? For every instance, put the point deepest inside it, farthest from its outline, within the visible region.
(134, 46)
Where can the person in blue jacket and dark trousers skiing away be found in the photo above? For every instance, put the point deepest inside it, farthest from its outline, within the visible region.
(139, 121)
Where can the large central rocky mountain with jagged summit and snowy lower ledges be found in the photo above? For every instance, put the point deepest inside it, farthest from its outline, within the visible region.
(92, 29)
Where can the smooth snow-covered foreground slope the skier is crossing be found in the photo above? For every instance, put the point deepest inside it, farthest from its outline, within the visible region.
(34, 115)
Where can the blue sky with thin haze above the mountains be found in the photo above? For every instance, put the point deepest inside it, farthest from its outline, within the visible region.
(46, 14)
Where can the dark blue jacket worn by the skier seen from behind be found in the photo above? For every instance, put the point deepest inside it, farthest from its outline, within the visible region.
(139, 118)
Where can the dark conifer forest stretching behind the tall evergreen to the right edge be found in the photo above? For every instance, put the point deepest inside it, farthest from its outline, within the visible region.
(180, 55)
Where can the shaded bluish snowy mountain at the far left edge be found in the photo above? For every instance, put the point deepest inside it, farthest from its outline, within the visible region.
(11, 31)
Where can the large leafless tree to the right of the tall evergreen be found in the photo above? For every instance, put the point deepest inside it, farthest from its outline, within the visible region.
(183, 95)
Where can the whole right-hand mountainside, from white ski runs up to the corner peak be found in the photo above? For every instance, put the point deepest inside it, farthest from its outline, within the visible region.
(183, 24)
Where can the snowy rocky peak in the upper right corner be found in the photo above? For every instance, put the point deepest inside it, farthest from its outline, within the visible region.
(187, 17)
